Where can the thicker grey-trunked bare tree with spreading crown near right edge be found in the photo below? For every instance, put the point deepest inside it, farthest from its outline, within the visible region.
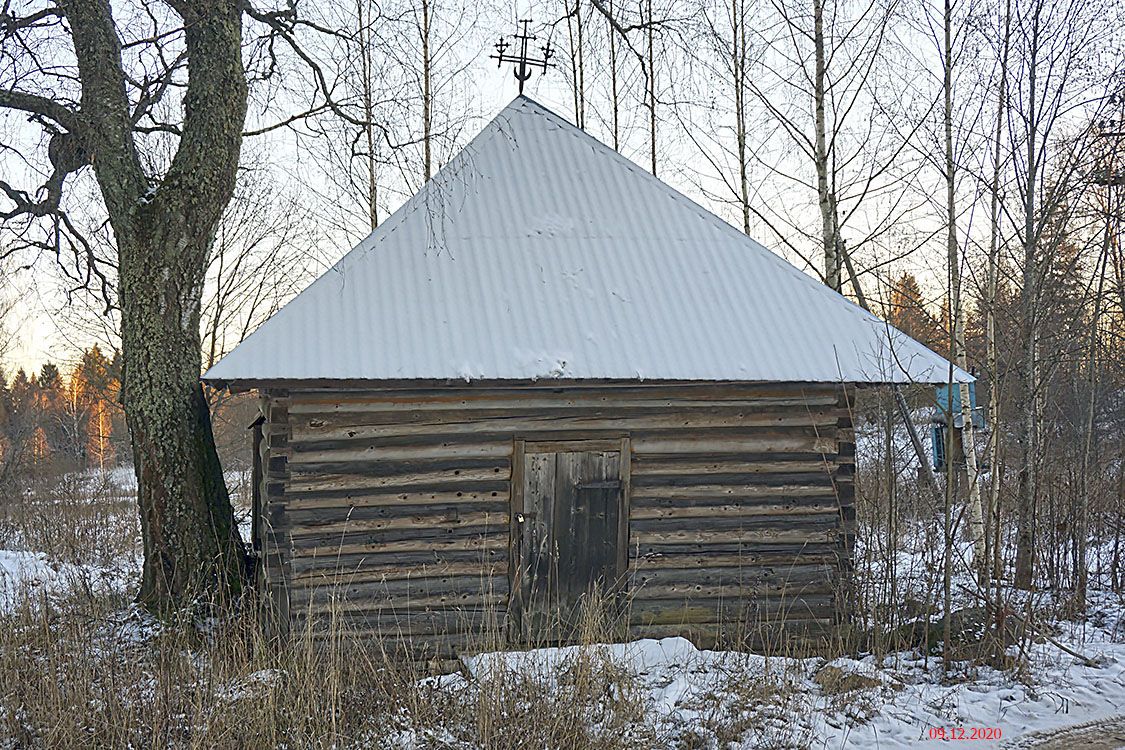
(1056, 96)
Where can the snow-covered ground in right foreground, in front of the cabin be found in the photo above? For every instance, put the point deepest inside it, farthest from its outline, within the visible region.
(898, 702)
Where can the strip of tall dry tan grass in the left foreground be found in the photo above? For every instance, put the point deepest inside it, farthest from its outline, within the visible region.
(77, 676)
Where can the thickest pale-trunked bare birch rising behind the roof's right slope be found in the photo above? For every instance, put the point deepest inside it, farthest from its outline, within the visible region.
(841, 138)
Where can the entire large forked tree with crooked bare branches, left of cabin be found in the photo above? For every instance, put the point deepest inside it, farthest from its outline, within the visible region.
(150, 100)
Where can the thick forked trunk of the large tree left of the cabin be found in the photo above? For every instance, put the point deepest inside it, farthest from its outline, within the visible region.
(192, 544)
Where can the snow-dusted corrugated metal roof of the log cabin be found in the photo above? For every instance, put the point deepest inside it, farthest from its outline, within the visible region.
(538, 252)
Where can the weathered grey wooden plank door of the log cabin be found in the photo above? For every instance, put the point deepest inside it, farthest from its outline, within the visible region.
(572, 535)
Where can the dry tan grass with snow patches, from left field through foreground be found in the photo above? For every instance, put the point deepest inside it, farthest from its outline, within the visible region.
(80, 667)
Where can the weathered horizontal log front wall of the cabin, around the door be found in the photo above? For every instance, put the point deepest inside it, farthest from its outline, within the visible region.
(389, 511)
